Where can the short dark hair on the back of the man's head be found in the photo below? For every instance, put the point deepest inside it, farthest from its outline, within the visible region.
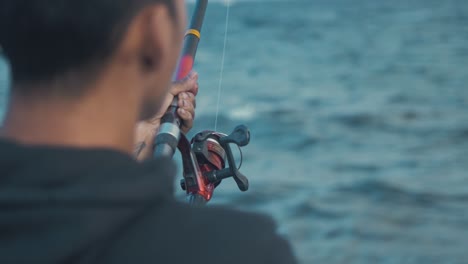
(44, 39)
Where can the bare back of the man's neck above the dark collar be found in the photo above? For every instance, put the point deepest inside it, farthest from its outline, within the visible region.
(94, 121)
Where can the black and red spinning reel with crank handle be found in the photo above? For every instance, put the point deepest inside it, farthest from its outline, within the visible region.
(208, 159)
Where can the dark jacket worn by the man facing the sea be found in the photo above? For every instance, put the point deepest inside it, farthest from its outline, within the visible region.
(63, 205)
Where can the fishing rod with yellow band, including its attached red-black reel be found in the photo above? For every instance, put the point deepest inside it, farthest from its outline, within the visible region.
(207, 159)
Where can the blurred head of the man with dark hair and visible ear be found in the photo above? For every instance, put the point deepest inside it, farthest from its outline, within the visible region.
(68, 49)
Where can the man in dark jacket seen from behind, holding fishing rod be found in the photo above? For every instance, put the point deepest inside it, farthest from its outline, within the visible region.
(84, 73)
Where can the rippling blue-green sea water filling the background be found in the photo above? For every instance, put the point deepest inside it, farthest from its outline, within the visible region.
(359, 118)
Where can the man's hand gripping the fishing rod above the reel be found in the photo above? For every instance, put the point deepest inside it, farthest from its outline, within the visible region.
(186, 90)
